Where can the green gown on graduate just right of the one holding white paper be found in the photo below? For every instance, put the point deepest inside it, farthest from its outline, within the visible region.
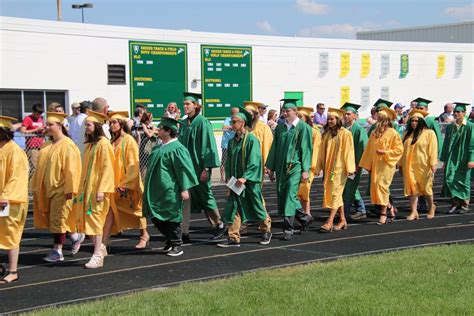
(289, 156)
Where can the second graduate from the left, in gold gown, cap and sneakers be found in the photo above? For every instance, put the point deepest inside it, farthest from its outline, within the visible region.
(55, 183)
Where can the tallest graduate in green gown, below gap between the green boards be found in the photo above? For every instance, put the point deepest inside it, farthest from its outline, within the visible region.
(196, 134)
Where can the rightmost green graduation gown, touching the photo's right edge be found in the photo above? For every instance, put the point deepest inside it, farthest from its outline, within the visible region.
(457, 152)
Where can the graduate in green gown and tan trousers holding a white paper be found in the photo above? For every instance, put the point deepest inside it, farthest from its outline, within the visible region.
(244, 163)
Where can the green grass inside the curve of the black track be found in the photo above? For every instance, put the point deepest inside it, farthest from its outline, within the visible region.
(427, 281)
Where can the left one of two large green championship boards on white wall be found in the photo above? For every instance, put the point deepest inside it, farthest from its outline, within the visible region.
(158, 75)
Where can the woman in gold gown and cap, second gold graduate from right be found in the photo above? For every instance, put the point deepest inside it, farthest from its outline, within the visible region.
(384, 150)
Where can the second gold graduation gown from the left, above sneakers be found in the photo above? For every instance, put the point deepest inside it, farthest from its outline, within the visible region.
(57, 173)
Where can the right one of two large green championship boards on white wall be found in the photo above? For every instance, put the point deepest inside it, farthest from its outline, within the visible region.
(226, 78)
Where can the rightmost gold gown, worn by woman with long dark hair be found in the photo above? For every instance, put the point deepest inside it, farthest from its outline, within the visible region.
(417, 161)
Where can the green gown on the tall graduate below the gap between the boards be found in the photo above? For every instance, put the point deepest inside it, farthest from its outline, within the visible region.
(198, 138)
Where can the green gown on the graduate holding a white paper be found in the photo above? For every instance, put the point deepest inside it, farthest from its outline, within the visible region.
(245, 161)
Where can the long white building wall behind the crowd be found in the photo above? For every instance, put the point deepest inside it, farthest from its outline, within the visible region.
(47, 55)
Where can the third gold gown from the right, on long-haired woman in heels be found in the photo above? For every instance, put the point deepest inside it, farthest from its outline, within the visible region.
(336, 160)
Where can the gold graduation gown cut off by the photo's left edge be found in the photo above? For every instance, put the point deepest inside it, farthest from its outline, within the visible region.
(13, 188)
